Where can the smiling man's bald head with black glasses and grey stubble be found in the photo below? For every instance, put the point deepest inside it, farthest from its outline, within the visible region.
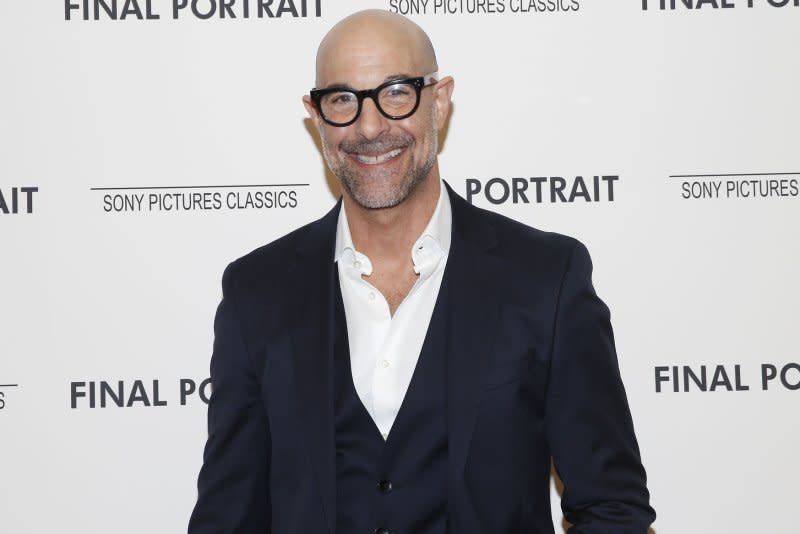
(383, 159)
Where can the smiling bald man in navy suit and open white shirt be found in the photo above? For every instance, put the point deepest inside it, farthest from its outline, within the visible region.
(409, 364)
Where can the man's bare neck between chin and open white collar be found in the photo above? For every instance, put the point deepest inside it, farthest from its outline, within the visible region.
(386, 235)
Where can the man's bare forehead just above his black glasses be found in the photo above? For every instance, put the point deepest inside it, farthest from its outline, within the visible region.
(365, 59)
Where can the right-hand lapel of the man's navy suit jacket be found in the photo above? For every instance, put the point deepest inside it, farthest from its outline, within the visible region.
(474, 311)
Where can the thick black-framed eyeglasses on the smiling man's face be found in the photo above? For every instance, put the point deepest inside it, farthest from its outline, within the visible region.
(395, 99)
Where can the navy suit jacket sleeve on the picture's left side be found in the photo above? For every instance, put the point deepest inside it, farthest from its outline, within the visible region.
(233, 486)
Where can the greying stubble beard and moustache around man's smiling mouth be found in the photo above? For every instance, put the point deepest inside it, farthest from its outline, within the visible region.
(385, 197)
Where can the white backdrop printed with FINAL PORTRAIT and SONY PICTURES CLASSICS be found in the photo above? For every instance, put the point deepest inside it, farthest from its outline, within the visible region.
(145, 144)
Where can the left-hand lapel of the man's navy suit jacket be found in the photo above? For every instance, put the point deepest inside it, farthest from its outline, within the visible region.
(311, 310)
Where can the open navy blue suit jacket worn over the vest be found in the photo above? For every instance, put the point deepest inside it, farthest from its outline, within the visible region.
(532, 374)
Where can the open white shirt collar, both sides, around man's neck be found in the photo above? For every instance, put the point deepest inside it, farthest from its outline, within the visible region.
(429, 249)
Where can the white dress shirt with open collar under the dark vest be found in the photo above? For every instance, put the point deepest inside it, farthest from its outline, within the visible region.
(384, 349)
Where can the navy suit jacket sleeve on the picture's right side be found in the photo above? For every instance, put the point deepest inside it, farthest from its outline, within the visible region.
(588, 422)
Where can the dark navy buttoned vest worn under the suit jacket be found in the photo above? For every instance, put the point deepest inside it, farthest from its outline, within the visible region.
(398, 486)
